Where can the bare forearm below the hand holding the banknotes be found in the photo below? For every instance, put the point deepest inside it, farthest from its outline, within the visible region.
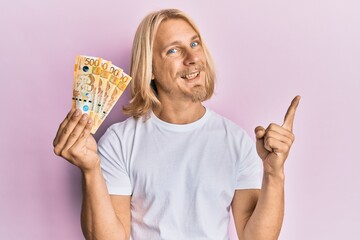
(98, 218)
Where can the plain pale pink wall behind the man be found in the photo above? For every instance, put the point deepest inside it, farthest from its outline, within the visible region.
(266, 52)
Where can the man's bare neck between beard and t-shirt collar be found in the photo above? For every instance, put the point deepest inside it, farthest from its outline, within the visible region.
(181, 113)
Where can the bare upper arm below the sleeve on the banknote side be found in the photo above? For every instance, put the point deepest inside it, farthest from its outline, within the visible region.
(121, 204)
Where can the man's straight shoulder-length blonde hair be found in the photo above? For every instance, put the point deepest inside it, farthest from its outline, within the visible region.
(143, 94)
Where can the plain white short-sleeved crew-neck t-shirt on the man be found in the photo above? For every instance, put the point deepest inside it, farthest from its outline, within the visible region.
(181, 178)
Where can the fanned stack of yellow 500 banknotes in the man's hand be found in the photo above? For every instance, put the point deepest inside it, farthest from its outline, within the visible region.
(97, 86)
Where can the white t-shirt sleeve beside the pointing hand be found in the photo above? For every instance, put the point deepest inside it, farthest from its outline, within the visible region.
(249, 167)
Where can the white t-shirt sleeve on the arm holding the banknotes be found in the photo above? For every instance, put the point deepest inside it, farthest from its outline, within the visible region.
(113, 164)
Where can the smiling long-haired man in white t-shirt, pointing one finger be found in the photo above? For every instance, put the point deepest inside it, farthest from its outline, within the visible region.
(174, 168)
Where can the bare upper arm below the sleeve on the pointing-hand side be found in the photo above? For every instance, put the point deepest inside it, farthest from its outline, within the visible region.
(243, 205)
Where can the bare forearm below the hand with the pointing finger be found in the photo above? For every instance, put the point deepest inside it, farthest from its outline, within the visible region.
(266, 221)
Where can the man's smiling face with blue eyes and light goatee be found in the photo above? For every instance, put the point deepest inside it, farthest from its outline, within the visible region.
(179, 62)
